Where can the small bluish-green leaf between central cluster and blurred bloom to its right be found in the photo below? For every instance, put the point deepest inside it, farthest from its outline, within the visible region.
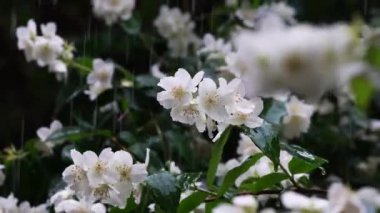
(274, 111)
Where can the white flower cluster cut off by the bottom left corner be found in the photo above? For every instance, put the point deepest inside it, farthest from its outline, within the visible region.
(9, 205)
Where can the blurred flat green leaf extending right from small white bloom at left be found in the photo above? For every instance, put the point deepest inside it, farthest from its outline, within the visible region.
(76, 134)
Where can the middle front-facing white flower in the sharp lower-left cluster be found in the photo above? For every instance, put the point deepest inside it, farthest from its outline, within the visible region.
(97, 168)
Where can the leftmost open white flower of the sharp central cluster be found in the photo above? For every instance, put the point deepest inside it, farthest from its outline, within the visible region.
(178, 89)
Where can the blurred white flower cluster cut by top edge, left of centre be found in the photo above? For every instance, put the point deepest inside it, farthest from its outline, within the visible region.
(113, 10)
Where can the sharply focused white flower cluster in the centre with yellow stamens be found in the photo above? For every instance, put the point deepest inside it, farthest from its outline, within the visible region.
(201, 102)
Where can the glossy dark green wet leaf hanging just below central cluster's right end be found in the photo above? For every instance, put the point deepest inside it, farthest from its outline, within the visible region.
(266, 139)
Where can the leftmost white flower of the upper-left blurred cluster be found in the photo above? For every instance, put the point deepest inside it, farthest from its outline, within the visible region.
(26, 37)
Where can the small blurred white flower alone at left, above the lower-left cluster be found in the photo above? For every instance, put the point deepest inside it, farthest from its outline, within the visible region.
(43, 134)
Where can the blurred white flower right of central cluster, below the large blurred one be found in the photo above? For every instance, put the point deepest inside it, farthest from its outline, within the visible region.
(298, 118)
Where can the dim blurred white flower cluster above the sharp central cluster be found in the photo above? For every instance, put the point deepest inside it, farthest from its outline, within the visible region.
(177, 29)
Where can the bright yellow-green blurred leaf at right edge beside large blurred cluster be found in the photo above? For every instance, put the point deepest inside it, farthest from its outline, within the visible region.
(363, 90)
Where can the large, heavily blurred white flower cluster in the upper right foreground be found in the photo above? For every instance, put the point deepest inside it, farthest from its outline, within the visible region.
(269, 61)
